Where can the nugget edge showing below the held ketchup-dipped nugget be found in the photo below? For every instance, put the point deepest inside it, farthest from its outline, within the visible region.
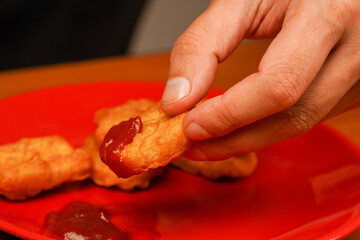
(103, 176)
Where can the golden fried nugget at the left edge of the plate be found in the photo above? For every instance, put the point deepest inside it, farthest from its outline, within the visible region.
(34, 164)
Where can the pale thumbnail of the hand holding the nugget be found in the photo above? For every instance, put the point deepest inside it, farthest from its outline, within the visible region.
(176, 89)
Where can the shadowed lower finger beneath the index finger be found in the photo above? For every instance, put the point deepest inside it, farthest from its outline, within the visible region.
(337, 76)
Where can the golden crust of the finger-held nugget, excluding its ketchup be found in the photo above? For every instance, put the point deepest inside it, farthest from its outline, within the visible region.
(161, 141)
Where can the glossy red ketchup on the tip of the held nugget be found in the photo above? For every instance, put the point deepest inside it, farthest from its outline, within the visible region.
(114, 142)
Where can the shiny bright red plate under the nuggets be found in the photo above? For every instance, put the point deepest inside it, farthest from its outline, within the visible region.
(304, 188)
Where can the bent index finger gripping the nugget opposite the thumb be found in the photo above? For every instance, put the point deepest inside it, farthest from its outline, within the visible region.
(286, 70)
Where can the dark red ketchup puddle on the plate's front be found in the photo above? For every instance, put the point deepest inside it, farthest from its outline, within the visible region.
(80, 220)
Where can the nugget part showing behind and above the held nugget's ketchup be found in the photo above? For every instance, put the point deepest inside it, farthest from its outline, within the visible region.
(108, 117)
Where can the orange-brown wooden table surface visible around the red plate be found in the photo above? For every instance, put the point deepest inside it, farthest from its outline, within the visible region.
(153, 68)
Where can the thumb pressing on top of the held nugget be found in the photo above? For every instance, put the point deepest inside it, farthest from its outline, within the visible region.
(196, 54)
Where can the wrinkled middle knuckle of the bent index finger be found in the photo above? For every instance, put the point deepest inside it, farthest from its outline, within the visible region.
(284, 90)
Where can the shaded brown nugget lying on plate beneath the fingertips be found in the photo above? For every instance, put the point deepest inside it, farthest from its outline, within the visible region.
(234, 167)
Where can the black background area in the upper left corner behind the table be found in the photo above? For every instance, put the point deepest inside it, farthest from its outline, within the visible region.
(37, 32)
